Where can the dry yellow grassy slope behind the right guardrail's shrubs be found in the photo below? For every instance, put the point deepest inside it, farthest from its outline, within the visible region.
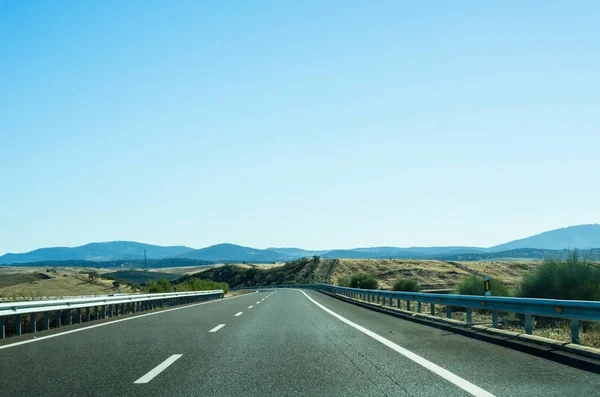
(432, 274)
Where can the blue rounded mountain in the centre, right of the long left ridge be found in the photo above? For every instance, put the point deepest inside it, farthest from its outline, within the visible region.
(232, 252)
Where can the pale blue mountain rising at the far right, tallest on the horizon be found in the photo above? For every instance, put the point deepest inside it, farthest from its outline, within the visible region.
(580, 237)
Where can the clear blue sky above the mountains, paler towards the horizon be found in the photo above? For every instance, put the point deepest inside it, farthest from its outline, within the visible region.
(317, 124)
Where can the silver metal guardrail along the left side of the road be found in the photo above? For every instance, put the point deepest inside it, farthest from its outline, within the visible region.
(101, 306)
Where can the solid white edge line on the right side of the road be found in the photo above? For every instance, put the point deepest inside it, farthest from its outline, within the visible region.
(436, 369)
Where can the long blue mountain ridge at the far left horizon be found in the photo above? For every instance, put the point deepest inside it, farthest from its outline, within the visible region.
(113, 250)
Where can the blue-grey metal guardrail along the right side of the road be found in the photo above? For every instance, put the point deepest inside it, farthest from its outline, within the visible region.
(574, 311)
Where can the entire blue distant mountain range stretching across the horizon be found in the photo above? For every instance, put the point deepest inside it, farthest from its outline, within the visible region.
(539, 246)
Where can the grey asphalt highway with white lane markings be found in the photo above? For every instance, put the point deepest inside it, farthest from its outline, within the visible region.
(276, 343)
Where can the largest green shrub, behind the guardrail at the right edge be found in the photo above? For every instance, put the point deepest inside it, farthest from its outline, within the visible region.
(573, 278)
